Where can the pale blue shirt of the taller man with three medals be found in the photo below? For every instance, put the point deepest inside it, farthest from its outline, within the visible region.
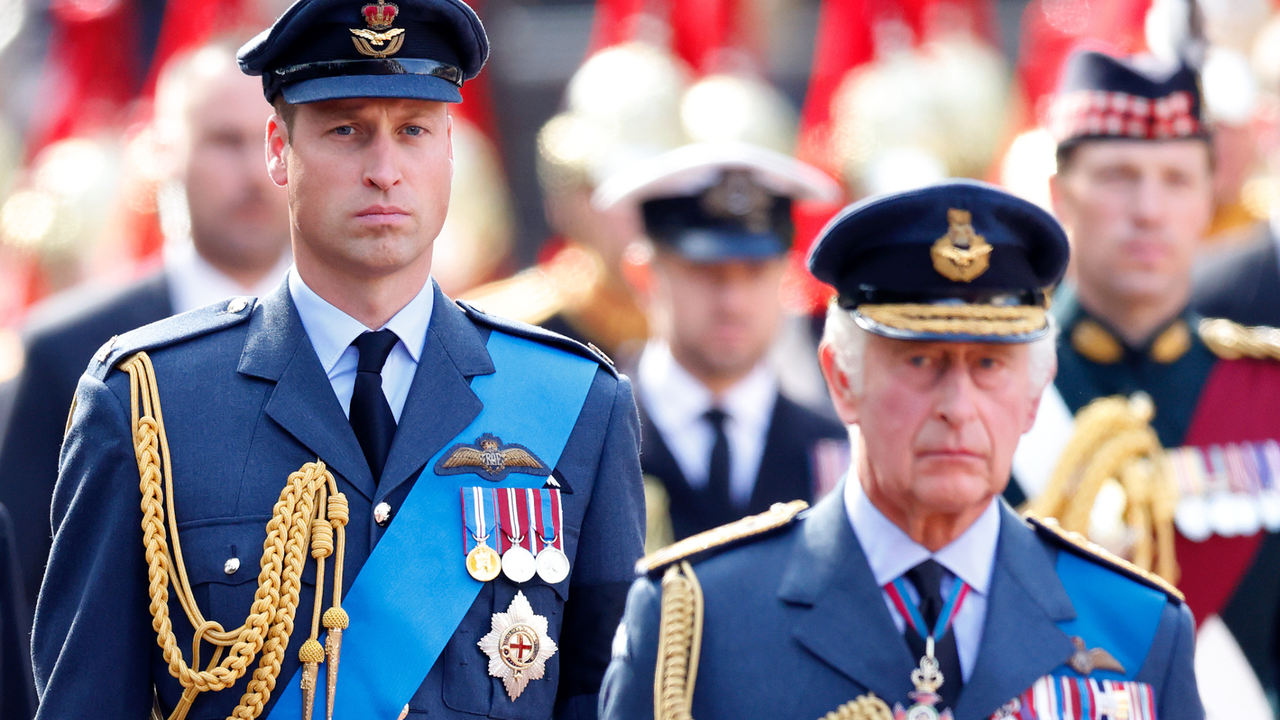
(333, 331)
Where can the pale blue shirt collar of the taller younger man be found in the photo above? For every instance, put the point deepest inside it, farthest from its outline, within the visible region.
(333, 331)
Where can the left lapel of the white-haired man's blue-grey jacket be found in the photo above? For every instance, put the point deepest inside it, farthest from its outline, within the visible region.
(848, 625)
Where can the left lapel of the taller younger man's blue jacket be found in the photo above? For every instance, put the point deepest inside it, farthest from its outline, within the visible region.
(277, 349)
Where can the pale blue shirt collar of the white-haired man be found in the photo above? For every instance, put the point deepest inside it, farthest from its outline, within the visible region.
(892, 553)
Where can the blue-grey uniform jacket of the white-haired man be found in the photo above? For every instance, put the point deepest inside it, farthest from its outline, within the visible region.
(796, 627)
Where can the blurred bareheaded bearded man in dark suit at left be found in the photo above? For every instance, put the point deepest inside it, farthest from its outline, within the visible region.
(228, 235)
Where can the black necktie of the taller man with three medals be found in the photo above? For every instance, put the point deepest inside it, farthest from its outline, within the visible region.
(371, 414)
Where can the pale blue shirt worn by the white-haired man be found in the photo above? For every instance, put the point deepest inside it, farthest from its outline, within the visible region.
(892, 554)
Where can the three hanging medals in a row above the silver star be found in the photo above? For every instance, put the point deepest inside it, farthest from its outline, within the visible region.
(516, 532)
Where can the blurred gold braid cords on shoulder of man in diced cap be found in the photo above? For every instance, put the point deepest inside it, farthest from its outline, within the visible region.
(1114, 444)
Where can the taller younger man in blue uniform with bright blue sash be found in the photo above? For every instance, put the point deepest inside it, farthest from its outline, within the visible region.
(359, 499)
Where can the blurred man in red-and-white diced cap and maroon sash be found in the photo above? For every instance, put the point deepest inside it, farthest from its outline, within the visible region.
(1135, 193)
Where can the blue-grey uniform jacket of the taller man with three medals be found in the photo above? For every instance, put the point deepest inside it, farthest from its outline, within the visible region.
(246, 403)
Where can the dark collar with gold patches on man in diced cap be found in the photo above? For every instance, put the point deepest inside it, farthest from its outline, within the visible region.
(1099, 343)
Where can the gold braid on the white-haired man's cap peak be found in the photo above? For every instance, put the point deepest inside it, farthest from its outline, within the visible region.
(958, 320)
